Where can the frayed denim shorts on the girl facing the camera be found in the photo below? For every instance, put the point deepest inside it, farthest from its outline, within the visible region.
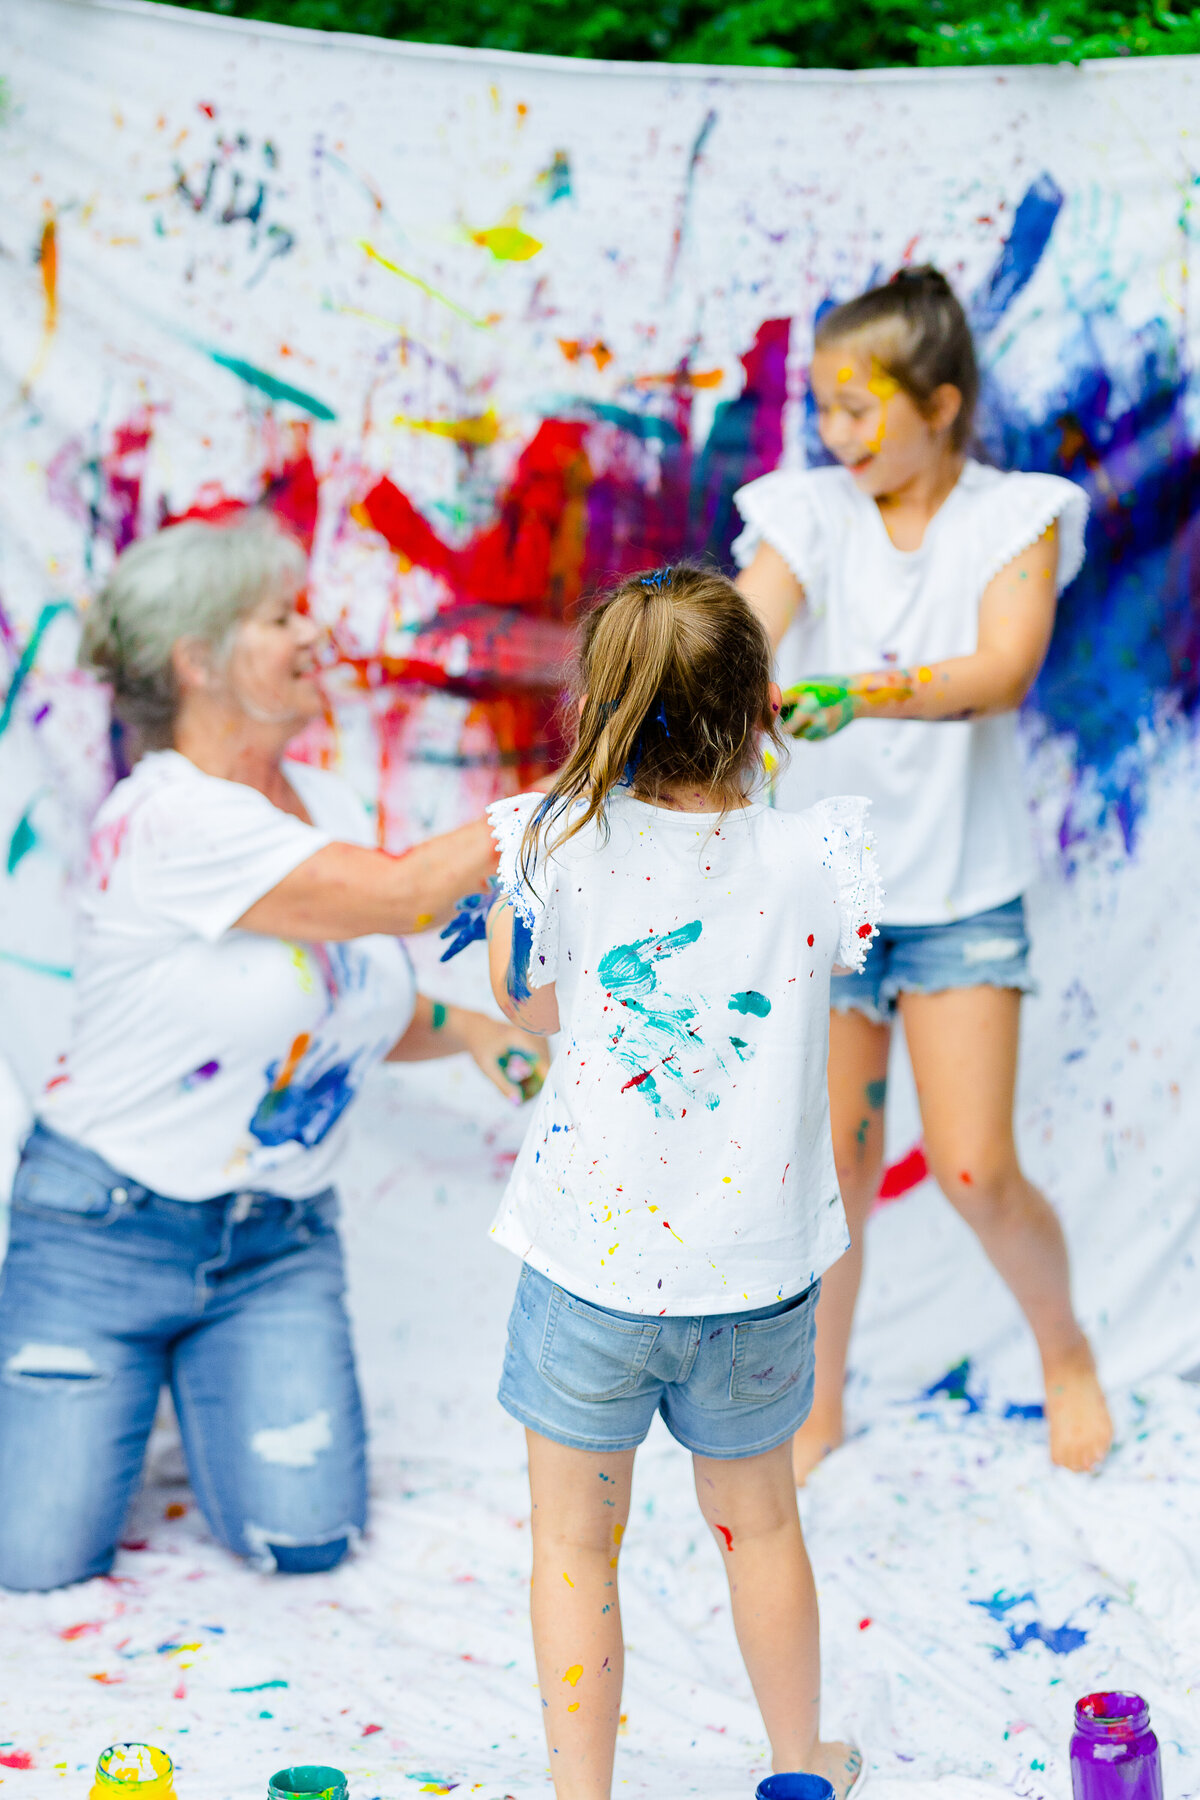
(983, 951)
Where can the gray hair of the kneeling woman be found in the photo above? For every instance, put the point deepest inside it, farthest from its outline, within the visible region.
(190, 580)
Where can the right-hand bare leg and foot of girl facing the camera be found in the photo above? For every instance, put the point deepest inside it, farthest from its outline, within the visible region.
(963, 1048)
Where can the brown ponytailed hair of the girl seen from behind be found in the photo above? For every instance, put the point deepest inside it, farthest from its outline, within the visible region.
(674, 690)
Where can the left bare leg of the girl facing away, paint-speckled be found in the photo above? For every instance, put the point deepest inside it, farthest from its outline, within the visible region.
(580, 1509)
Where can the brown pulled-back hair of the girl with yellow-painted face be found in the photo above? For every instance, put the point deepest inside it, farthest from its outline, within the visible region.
(917, 328)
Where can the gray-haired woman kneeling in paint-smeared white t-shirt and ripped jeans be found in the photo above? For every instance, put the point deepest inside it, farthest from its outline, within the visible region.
(238, 975)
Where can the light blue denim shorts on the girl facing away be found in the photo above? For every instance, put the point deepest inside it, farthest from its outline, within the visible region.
(728, 1385)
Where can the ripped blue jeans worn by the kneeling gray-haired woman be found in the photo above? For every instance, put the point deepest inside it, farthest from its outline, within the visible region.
(111, 1291)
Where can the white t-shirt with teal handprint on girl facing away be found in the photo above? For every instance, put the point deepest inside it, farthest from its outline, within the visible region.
(679, 1158)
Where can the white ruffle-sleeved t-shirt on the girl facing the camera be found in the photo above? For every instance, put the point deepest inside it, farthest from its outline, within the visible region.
(951, 816)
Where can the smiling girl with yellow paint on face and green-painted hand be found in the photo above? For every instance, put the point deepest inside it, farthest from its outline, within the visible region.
(929, 584)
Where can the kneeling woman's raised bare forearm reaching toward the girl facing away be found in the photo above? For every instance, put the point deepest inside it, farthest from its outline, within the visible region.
(348, 892)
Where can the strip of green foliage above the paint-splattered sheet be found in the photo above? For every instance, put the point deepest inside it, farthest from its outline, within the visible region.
(784, 33)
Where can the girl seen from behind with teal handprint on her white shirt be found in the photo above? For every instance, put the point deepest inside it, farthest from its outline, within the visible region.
(676, 1201)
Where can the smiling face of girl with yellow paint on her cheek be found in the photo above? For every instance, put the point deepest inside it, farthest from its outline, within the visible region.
(872, 426)
